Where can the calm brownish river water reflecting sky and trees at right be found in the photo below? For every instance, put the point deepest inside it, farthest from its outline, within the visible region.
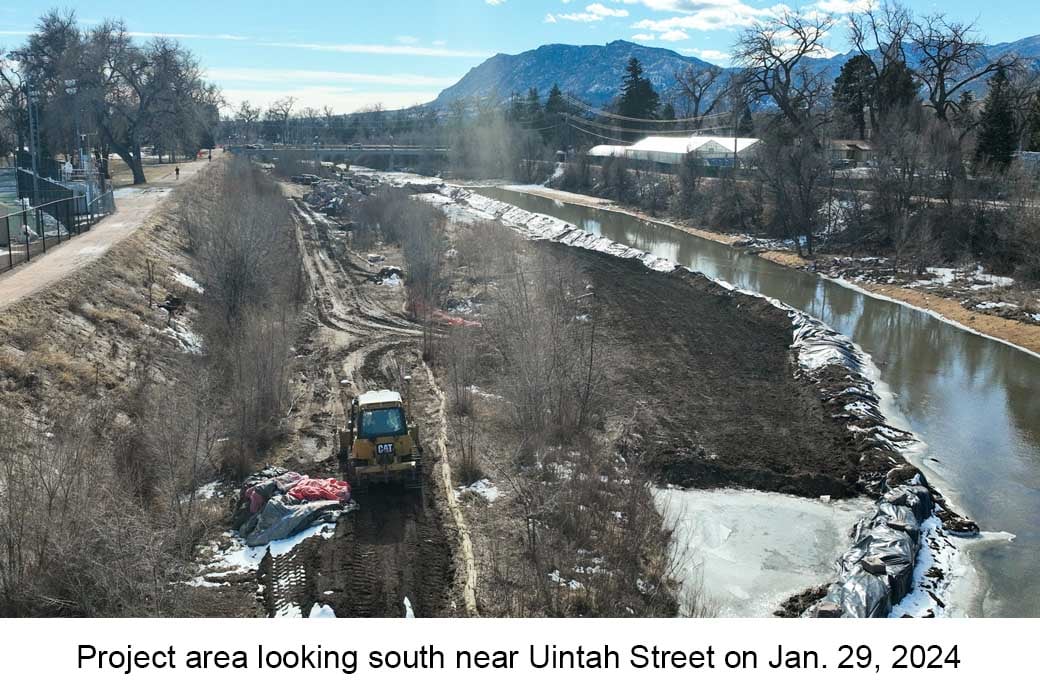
(975, 402)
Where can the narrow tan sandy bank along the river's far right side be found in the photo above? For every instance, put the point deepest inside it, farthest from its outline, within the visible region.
(1025, 337)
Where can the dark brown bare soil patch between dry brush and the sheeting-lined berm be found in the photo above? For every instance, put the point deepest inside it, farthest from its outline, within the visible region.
(712, 382)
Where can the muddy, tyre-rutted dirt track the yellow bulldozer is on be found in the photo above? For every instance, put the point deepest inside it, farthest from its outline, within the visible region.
(391, 557)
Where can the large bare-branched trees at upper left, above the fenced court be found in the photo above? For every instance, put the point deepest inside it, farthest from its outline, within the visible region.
(127, 95)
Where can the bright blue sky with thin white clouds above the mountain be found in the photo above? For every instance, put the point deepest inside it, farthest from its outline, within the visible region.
(353, 54)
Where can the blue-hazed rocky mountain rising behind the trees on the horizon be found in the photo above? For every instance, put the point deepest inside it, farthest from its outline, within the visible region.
(594, 73)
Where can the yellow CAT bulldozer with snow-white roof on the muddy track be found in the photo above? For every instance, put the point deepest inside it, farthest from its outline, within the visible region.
(379, 446)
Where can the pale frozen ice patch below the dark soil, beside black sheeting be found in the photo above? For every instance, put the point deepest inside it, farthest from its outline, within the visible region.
(751, 551)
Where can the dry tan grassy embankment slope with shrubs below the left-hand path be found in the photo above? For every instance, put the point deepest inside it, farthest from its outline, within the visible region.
(108, 428)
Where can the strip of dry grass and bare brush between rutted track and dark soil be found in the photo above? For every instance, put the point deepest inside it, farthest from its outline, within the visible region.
(576, 532)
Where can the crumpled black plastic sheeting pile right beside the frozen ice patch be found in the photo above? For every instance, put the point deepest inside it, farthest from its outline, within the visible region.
(877, 573)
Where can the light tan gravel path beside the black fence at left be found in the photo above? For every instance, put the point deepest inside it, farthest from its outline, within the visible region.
(135, 207)
